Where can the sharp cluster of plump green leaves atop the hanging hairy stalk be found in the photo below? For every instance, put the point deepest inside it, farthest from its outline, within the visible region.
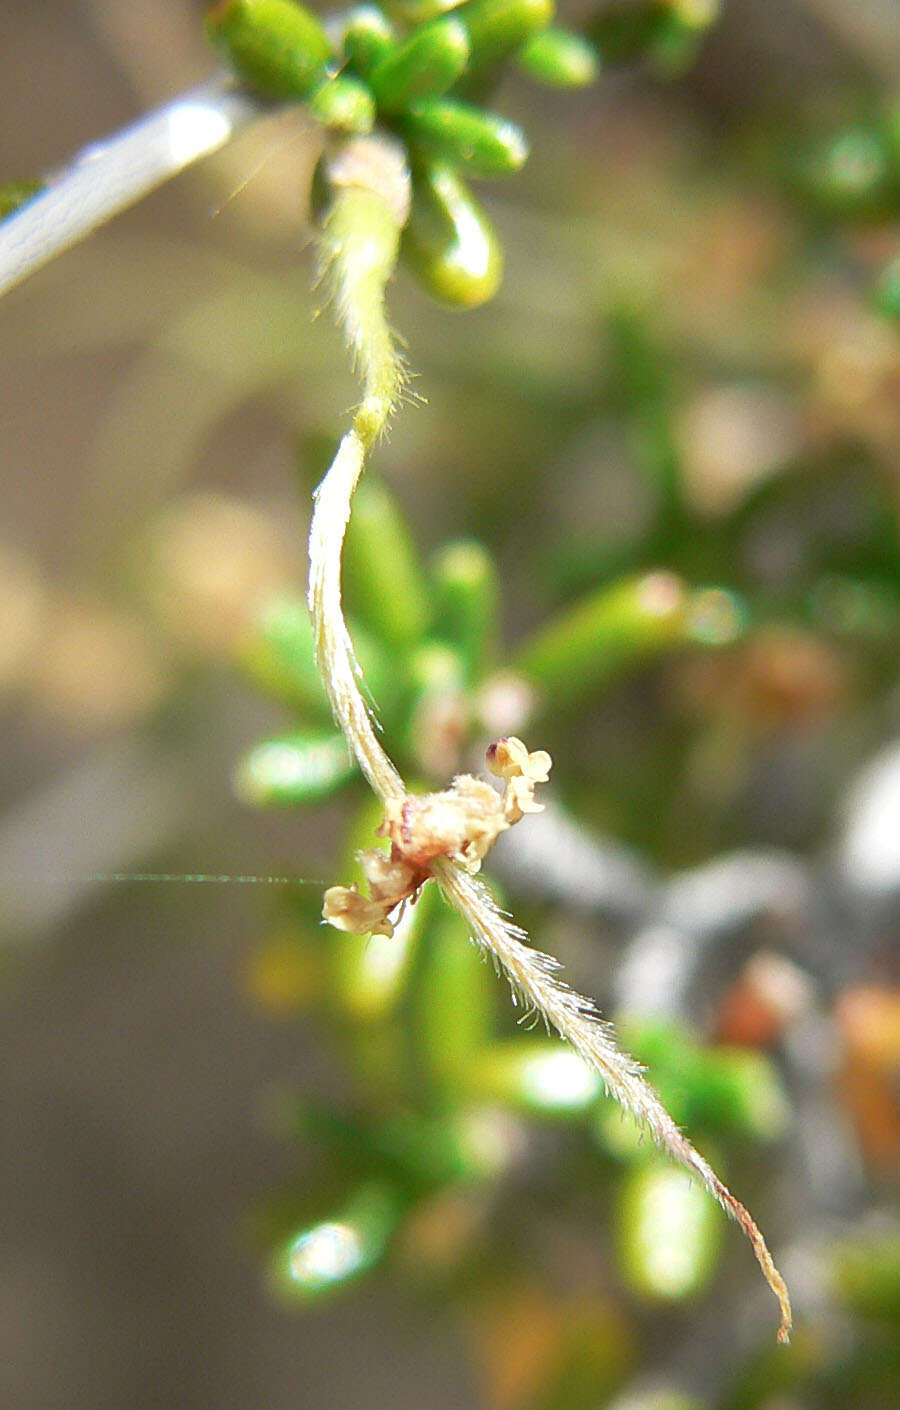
(424, 70)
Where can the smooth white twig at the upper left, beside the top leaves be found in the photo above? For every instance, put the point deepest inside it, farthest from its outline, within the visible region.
(118, 171)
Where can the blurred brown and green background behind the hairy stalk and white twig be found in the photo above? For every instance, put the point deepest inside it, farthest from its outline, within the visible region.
(671, 449)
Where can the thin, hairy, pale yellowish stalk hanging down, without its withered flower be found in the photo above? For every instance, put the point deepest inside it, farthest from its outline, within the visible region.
(359, 250)
